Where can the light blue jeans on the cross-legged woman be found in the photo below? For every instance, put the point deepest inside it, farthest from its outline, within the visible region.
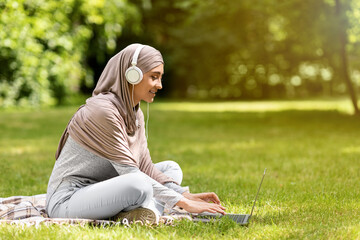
(105, 199)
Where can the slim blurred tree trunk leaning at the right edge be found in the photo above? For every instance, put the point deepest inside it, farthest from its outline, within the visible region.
(343, 57)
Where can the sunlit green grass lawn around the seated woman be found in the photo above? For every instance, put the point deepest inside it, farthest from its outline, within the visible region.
(310, 148)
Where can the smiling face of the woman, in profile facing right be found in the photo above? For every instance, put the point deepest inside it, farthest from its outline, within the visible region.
(149, 85)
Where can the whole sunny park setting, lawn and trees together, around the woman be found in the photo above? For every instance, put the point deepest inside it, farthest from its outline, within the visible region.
(248, 84)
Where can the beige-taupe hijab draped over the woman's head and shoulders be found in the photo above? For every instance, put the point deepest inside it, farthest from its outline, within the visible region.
(99, 125)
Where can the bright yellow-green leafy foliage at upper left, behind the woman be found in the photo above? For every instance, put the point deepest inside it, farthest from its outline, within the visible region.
(44, 45)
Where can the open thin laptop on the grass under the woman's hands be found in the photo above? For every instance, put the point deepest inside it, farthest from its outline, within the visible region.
(241, 219)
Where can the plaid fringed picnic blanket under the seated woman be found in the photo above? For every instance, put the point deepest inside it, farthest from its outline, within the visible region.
(30, 210)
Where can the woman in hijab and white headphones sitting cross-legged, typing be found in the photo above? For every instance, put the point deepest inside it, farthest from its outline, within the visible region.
(103, 167)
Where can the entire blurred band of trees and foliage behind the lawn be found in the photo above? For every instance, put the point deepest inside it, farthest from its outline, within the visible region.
(52, 51)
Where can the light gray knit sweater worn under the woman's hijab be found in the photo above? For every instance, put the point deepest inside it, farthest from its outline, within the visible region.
(78, 165)
